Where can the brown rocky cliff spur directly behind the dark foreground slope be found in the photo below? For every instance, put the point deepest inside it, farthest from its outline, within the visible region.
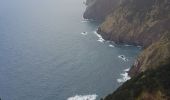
(154, 56)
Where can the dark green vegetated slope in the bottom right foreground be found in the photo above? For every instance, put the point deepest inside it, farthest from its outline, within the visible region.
(149, 85)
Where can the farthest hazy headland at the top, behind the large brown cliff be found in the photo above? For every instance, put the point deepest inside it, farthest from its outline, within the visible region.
(99, 9)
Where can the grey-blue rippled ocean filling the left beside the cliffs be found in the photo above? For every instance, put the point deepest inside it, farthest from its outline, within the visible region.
(49, 52)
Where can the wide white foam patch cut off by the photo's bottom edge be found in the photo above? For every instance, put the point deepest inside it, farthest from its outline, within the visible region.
(83, 97)
